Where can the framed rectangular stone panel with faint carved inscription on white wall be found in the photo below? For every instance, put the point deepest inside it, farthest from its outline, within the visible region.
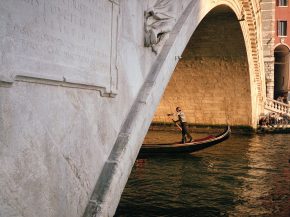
(72, 42)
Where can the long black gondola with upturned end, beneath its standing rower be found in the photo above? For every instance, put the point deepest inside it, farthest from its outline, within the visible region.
(195, 145)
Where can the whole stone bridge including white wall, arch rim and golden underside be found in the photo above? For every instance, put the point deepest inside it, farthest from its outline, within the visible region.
(79, 90)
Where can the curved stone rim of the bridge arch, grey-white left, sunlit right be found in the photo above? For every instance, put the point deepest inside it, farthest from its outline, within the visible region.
(115, 173)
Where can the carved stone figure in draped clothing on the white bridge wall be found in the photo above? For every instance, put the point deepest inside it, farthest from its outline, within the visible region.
(159, 21)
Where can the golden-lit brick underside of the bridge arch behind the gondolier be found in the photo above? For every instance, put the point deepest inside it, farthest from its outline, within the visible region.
(212, 80)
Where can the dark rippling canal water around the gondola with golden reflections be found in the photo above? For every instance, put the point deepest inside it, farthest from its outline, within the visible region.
(247, 175)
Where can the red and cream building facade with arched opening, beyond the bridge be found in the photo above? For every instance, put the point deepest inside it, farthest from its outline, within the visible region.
(276, 44)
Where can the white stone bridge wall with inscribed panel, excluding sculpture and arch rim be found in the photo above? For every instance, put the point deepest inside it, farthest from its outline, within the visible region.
(70, 72)
